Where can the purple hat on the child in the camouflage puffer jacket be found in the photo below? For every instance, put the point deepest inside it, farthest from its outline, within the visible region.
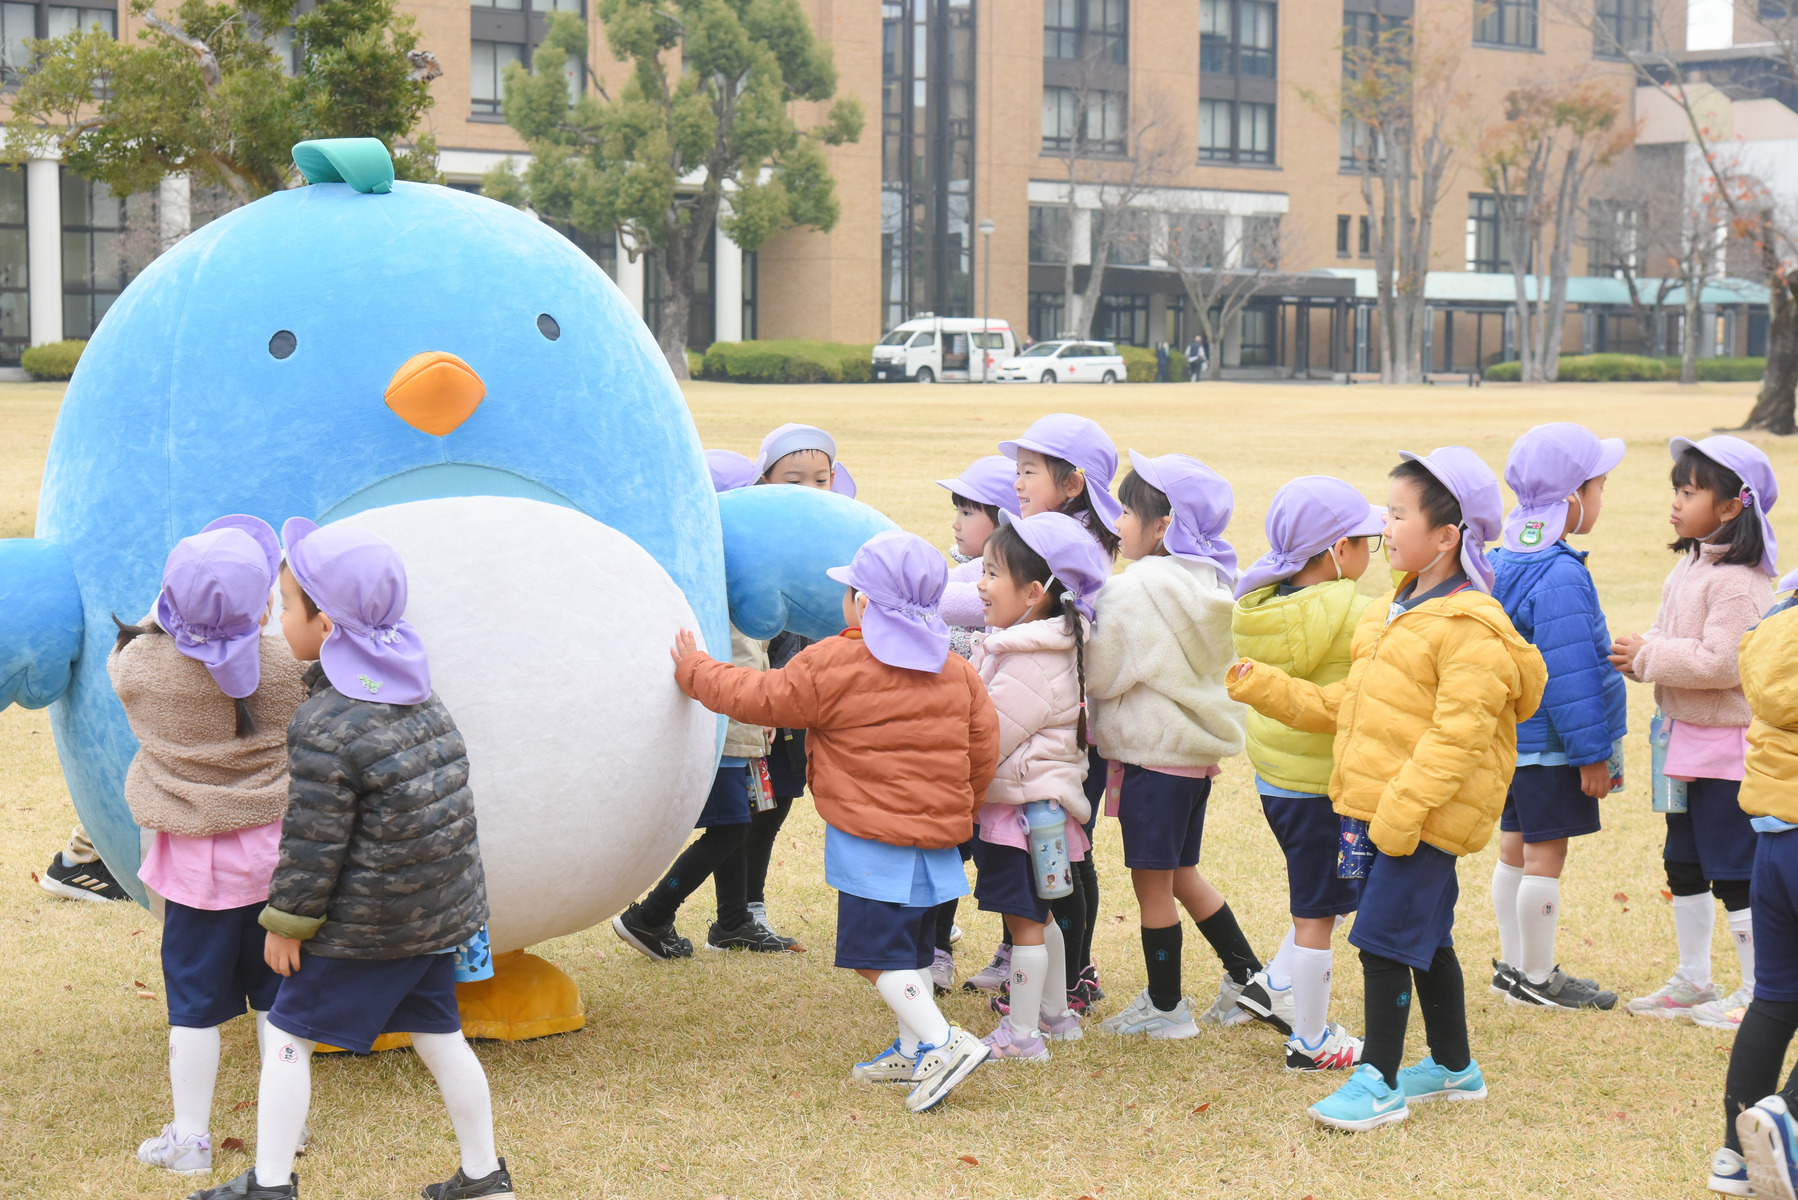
(357, 580)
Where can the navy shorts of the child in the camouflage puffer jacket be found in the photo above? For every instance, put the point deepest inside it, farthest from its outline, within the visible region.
(350, 1003)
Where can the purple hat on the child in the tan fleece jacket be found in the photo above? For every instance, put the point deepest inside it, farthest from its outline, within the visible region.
(215, 593)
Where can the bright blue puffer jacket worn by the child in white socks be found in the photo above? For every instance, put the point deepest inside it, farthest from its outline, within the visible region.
(1554, 604)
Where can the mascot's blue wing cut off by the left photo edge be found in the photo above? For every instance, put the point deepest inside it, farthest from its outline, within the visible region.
(40, 622)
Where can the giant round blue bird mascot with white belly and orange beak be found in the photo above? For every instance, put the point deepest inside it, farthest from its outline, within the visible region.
(459, 379)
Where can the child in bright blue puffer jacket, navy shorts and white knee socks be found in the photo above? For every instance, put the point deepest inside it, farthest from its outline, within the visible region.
(1567, 751)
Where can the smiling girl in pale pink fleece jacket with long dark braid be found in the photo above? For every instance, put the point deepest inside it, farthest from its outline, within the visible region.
(1037, 586)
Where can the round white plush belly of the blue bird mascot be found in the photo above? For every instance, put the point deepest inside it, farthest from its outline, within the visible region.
(549, 640)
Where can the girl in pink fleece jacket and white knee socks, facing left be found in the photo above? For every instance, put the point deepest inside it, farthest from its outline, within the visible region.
(1716, 593)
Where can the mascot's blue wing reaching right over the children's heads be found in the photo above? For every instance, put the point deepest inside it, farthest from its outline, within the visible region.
(779, 541)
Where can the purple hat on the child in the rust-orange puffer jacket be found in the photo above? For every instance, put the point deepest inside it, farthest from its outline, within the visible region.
(903, 578)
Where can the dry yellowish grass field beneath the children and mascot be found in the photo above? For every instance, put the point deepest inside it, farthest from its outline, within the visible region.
(727, 1077)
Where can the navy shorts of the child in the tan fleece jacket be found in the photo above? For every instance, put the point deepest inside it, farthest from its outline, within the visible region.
(213, 965)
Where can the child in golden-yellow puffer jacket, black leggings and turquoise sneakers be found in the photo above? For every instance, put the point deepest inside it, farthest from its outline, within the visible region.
(1427, 742)
